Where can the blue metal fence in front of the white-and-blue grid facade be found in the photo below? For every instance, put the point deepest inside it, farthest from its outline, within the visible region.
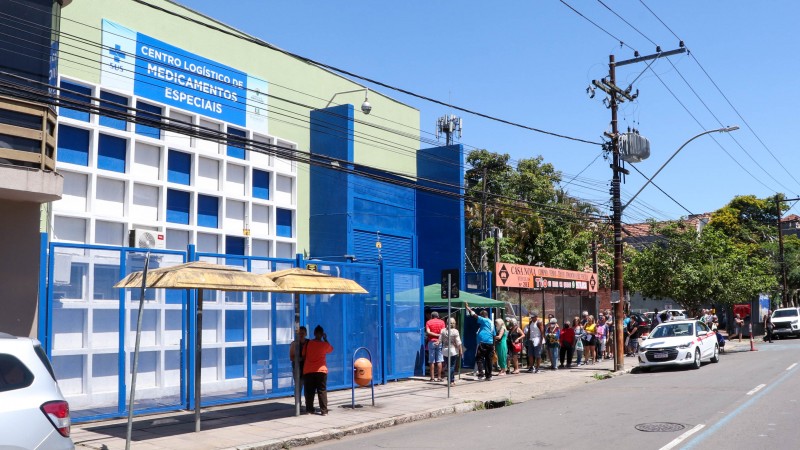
(89, 330)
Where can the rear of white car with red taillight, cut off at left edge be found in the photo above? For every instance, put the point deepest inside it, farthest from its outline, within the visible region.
(33, 413)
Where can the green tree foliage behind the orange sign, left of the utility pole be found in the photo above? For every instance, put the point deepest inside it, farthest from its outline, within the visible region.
(540, 222)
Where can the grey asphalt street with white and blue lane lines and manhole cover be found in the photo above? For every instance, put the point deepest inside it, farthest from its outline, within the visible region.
(748, 400)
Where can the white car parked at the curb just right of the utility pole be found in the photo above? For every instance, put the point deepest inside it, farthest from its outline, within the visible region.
(679, 342)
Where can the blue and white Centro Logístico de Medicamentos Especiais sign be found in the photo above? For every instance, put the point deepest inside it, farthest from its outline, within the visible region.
(137, 63)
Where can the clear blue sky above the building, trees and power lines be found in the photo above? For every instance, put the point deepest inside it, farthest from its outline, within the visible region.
(531, 62)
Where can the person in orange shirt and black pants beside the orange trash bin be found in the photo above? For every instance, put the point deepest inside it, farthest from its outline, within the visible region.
(315, 370)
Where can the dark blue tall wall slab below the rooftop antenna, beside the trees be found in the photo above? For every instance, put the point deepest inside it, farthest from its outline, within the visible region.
(440, 218)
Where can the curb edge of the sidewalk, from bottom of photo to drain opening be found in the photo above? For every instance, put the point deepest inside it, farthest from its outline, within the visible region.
(339, 433)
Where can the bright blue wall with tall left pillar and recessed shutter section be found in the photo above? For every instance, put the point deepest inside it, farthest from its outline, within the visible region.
(356, 211)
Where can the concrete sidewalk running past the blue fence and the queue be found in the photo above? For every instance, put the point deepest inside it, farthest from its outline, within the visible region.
(271, 424)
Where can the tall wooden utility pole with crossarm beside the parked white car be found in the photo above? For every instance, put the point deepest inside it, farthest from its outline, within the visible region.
(619, 95)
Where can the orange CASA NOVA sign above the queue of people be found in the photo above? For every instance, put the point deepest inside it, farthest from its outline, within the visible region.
(535, 277)
